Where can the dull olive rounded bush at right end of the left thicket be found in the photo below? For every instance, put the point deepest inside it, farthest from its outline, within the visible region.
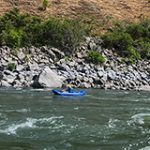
(66, 34)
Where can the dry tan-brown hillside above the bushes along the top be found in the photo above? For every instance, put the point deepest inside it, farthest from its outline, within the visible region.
(119, 9)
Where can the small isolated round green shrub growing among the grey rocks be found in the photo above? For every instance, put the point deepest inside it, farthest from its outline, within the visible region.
(96, 57)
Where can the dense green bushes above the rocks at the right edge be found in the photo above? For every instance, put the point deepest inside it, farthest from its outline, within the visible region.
(132, 41)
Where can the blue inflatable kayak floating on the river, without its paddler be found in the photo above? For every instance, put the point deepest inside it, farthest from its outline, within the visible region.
(74, 93)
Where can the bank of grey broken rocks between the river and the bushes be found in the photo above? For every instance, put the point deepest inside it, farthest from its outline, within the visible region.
(49, 67)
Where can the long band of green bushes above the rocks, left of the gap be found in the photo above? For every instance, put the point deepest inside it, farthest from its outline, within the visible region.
(18, 30)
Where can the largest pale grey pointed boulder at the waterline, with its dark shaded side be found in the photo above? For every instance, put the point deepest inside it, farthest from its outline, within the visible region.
(47, 79)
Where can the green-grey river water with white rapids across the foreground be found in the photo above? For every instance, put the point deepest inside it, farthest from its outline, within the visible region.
(101, 120)
